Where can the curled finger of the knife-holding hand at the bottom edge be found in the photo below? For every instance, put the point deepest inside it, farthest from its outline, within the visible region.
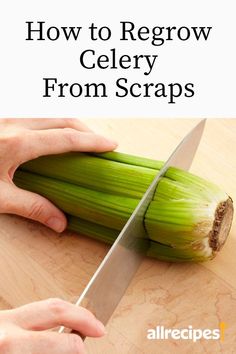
(55, 343)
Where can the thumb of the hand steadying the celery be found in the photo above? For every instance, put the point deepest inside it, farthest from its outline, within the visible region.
(33, 206)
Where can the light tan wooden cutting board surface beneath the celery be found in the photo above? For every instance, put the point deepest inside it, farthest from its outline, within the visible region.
(36, 263)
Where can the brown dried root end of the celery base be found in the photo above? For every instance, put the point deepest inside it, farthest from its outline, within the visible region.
(222, 224)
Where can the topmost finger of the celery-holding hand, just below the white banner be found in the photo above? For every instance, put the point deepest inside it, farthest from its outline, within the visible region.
(48, 123)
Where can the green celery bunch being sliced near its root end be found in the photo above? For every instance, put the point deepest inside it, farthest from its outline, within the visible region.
(188, 220)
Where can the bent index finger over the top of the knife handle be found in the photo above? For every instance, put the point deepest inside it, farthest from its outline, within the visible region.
(52, 313)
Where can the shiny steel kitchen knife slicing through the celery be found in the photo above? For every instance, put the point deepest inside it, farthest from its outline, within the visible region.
(113, 276)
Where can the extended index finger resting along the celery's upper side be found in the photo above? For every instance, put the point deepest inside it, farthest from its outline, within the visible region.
(53, 141)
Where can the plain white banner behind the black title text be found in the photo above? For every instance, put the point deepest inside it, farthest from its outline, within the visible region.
(210, 65)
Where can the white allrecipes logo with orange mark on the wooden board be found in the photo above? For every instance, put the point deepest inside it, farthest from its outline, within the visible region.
(190, 333)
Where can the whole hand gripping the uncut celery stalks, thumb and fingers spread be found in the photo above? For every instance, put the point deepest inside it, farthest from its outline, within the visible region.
(25, 139)
